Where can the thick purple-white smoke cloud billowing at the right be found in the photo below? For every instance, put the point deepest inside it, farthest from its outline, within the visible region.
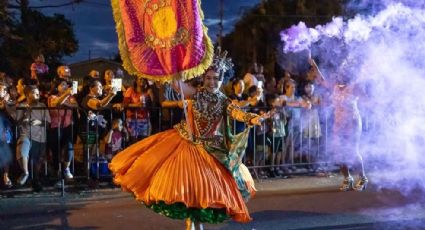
(385, 54)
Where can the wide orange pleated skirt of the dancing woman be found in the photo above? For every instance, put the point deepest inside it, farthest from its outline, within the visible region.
(170, 169)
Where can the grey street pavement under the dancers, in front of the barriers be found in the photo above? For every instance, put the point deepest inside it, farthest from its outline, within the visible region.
(302, 202)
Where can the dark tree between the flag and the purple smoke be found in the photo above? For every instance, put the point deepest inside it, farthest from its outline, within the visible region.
(256, 36)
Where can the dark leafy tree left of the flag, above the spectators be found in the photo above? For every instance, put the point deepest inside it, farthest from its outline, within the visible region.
(35, 33)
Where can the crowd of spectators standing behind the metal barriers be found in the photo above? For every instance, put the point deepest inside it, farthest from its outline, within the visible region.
(44, 118)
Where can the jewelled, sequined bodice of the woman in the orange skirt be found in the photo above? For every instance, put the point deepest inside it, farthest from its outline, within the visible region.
(208, 111)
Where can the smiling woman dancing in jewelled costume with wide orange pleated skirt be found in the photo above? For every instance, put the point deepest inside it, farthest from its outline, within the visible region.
(193, 171)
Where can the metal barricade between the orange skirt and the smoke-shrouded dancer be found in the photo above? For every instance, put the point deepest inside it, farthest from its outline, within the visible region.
(298, 145)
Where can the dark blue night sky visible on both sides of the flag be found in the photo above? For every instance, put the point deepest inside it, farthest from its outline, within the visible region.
(94, 26)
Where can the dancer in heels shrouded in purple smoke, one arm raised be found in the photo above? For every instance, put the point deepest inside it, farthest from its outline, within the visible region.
(347, 126)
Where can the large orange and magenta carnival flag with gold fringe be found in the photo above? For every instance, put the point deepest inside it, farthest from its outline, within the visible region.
(162, 40)
